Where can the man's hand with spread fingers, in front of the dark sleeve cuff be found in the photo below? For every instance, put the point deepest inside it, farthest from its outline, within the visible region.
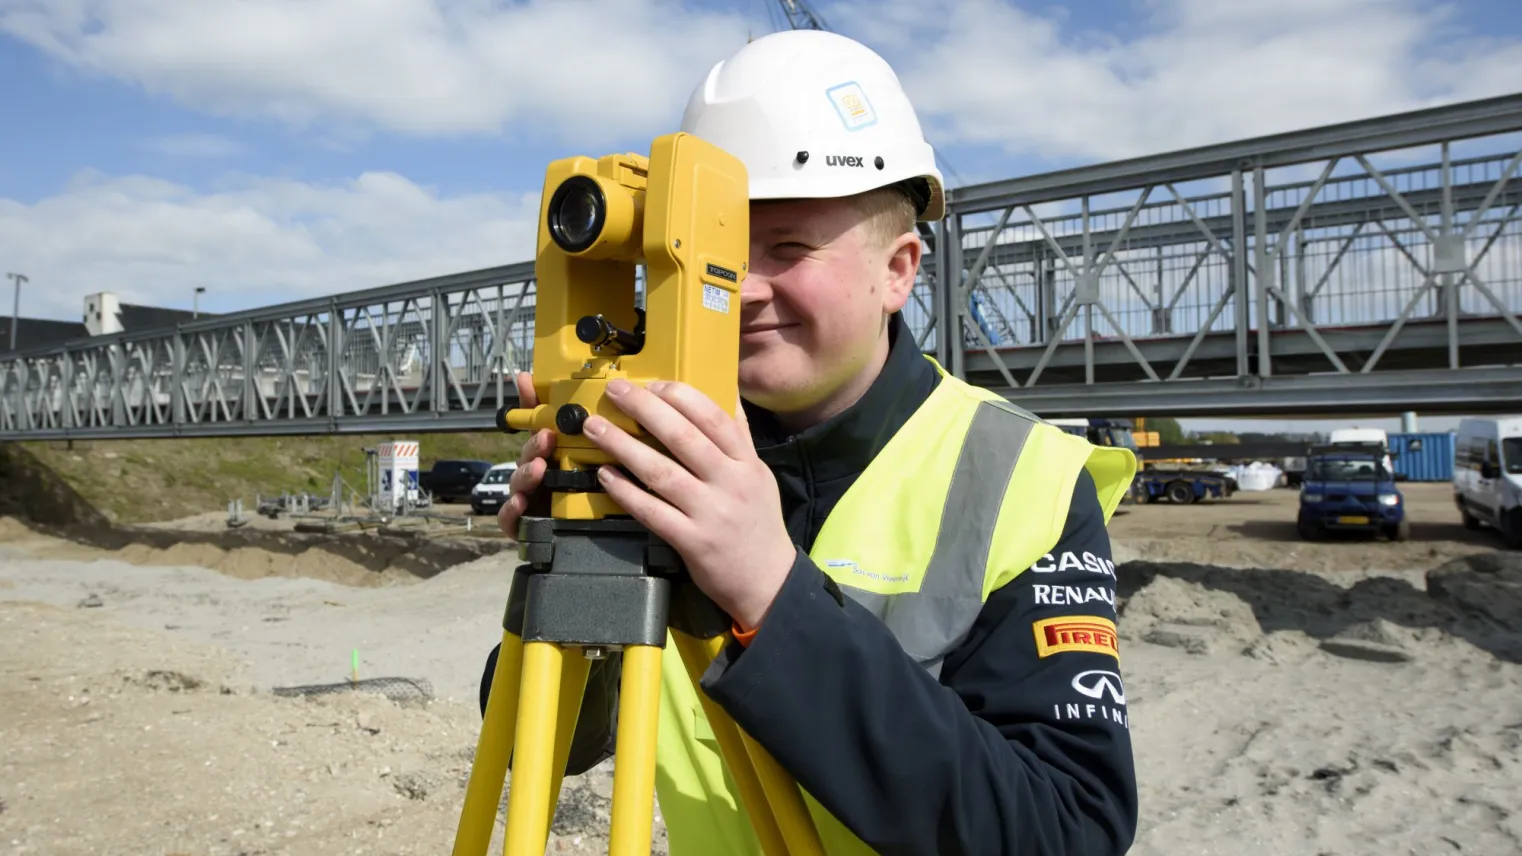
(712, 499)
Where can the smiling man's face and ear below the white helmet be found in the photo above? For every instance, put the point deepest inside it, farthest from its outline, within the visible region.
(815, 302)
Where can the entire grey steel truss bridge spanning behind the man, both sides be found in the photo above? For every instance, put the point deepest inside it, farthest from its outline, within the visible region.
(1284, 275)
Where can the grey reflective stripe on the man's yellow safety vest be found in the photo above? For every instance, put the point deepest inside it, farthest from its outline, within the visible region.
(931, 622)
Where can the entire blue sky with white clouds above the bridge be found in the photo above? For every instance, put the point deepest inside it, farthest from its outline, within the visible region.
(276, 150)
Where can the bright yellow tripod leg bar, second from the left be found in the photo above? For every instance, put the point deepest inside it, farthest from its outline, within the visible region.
(529, 806)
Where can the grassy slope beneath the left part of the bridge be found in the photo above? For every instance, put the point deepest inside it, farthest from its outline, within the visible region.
(156, 481)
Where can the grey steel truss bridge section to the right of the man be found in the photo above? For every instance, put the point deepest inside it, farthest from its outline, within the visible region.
(1357, 251)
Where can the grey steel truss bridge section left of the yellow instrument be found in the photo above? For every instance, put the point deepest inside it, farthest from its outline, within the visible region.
(447, 348)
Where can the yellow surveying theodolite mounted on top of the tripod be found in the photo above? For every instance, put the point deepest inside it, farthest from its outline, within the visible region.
(684, 214)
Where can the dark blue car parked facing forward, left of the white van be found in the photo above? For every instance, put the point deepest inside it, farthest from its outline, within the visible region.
(1349, 488)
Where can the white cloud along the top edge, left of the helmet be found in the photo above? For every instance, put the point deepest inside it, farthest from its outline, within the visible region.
(587, 71)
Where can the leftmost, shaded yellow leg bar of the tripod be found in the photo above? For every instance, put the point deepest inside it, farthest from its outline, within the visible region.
(494, 749)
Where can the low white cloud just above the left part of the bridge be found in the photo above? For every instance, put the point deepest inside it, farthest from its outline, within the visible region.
(252, 243)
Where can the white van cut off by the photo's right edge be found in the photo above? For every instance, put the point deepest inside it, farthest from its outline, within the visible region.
(1488, 476)
